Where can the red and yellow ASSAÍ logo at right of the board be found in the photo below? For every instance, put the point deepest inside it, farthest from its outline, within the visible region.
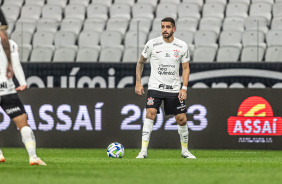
(255, 117)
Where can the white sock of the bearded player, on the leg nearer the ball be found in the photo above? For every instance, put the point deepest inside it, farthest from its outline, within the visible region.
(146, 133)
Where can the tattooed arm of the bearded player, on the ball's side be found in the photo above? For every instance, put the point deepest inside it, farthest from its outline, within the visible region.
(139, 69)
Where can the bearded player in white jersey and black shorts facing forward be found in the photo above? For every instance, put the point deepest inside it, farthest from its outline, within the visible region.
(166, 53)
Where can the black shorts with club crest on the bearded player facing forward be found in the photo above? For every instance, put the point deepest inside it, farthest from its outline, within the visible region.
(172, 105)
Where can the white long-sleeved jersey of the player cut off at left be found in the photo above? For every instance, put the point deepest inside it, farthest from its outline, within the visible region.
(7, 86)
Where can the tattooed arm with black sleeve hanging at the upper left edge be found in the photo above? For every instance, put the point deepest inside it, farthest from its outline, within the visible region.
(5, 43)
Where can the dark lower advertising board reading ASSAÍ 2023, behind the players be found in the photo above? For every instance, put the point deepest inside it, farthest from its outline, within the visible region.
(93, 118)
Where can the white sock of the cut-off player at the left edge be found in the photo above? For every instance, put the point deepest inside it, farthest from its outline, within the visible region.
(29, 141)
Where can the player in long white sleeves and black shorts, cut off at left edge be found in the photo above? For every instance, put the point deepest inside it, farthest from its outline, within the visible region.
(12, 105)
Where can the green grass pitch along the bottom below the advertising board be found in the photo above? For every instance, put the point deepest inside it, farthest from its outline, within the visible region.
(83, 166)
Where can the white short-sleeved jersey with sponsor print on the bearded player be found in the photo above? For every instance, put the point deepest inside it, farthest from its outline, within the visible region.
(165, 60)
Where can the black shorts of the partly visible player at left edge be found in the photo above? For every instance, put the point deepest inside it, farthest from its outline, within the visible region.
(12, 105)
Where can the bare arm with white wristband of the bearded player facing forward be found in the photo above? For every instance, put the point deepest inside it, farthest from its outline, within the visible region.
(185, 76)
